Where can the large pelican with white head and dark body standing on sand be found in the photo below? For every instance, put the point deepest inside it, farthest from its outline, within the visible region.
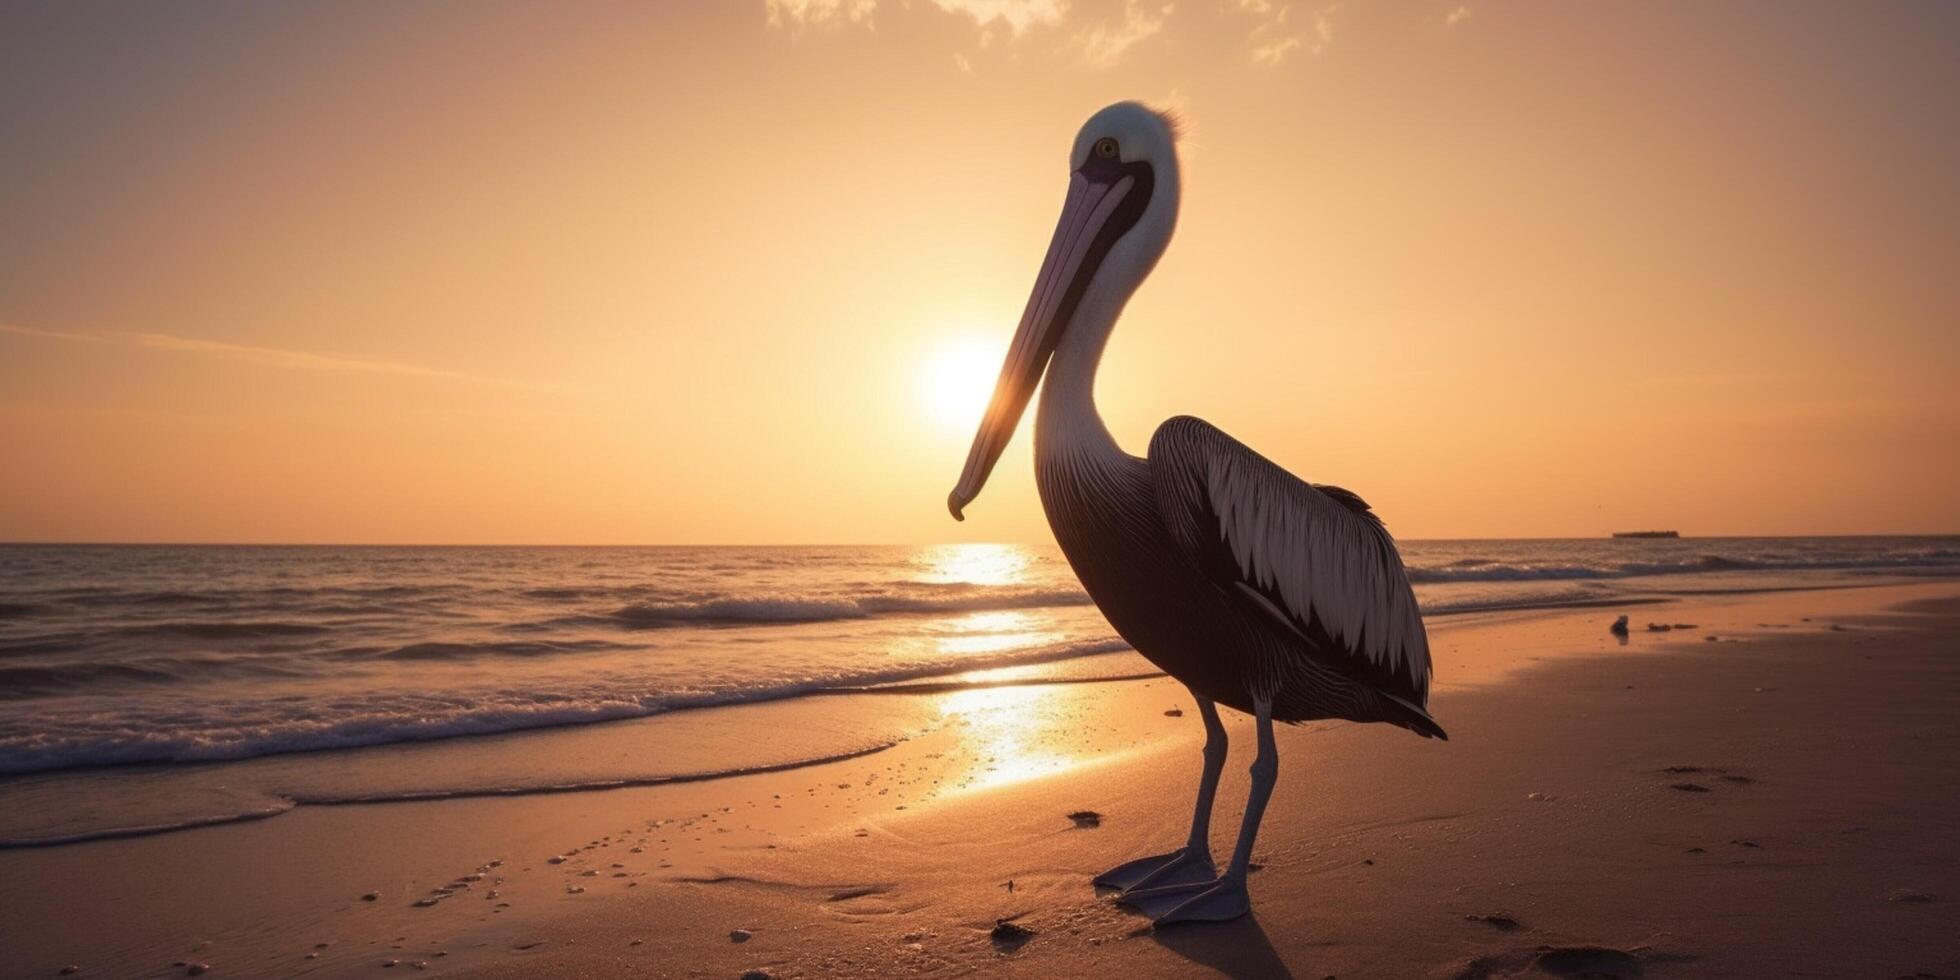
(1255, 589)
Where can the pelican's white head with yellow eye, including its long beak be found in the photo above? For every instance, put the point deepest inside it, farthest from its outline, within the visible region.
(1118, 219)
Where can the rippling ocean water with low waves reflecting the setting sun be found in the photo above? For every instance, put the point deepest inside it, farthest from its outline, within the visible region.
(148, 660)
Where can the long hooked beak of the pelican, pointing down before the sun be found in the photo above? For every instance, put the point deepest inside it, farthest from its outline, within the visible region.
(1065, 275)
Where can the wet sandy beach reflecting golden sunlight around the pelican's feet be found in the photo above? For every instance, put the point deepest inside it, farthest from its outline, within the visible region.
(1773, 803)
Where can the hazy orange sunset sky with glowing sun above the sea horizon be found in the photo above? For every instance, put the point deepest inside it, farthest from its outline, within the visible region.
(740, 273)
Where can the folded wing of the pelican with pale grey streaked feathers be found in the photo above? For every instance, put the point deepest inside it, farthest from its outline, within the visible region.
(1314, 558)
